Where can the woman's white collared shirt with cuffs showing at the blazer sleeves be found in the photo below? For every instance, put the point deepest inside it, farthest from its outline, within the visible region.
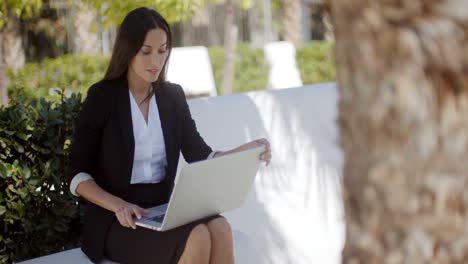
(149, 160)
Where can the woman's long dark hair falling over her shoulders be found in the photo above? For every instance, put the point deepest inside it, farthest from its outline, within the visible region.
(130, 38)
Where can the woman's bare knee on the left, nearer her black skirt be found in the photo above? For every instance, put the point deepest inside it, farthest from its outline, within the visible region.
(198, 246)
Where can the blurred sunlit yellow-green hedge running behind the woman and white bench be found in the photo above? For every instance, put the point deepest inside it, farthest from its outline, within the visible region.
(75, 73)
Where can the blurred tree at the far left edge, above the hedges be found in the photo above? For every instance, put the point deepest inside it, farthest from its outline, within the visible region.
(11, 43)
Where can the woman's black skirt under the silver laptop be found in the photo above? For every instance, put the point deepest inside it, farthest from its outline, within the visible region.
(143, 245)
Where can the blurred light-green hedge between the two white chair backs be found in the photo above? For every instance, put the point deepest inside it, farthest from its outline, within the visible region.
(251, 70)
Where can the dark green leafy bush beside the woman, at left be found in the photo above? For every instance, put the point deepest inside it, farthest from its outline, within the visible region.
(38, 215)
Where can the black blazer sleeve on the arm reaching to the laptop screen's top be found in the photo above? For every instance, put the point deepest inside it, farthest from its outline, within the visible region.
(194, 147)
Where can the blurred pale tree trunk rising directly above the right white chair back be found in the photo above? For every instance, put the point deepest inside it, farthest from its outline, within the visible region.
(292, 22)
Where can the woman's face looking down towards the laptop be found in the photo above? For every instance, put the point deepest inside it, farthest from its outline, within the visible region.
(150, 59)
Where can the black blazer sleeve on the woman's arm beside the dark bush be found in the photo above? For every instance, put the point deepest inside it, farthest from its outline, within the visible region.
(87, 135)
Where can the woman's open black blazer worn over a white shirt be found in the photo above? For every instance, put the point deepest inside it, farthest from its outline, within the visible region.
(103, 146)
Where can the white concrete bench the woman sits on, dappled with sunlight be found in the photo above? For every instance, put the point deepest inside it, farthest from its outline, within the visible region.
(294, 213)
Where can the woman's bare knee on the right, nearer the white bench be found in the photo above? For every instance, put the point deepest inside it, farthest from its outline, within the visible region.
(222, 249)
